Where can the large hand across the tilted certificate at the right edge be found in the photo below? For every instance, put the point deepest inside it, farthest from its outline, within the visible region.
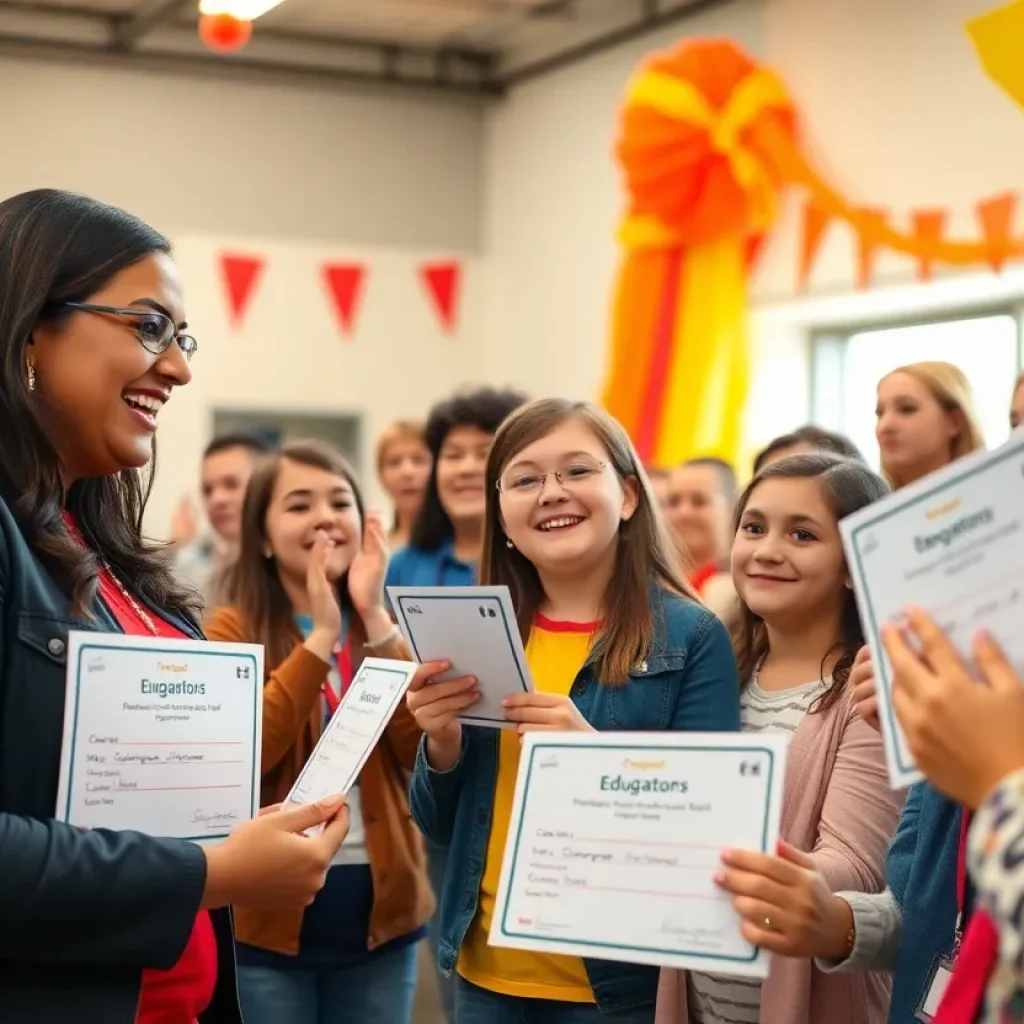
(965, 736)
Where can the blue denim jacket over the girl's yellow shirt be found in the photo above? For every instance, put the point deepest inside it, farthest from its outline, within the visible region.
(689, 682)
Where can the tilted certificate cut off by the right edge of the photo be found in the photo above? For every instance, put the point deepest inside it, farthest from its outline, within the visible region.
(954, 545)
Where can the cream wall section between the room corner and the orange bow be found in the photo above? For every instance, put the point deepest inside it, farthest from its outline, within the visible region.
(552, 202)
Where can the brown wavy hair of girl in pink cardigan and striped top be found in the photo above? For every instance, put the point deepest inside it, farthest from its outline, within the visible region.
(847, 486)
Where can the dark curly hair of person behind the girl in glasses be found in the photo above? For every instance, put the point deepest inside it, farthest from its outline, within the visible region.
(485, 409)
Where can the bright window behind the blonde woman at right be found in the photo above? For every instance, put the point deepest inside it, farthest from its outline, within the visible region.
(846, 368)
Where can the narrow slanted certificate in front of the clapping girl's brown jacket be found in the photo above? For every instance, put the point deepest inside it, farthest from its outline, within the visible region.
(355, 731)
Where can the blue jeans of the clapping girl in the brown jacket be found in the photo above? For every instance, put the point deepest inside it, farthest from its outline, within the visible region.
(378, 992)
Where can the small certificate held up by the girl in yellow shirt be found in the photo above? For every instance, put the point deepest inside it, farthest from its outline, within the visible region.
(476, 629)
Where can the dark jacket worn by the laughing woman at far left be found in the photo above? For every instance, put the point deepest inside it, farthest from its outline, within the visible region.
(82, 914)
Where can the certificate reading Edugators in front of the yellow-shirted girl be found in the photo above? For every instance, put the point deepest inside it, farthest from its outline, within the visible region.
(616, 838)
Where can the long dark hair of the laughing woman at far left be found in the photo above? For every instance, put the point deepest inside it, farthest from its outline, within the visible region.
(58, 247)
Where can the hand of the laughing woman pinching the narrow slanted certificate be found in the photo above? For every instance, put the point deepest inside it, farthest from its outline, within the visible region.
(269, 863)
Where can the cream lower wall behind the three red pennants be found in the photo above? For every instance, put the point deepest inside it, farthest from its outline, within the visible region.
(290, 354)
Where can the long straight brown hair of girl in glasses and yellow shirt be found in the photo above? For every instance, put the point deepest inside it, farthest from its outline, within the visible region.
(646, 554)
